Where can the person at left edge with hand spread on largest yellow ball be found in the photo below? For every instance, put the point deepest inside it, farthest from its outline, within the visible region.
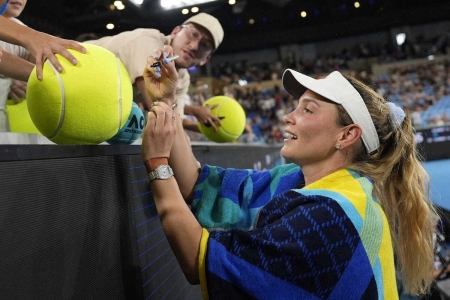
(17, 62)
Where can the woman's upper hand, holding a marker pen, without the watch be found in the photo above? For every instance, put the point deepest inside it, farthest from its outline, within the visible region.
(161, 82)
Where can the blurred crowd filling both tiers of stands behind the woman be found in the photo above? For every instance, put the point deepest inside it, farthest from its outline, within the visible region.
(422, 89)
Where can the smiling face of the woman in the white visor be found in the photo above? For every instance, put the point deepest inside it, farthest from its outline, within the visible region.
(312, 130)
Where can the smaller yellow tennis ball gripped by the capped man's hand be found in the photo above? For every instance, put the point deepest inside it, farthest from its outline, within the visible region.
(232, 117)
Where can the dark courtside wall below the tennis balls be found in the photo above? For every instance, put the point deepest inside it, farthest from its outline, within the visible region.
(79, 222)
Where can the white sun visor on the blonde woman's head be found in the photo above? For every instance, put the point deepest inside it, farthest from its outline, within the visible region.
(336, 88)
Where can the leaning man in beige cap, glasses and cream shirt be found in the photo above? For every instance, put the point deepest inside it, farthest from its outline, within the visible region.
(194, 41)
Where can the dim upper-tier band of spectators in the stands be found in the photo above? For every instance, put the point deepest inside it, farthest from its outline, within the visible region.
(232, 72)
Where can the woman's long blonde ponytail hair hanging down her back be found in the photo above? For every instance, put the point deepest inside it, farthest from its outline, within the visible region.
(402, 188)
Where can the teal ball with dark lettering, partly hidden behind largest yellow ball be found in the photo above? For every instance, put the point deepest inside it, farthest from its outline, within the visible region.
(132, 129)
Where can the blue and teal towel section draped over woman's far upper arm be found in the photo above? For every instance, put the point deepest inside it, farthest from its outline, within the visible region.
(231, 198)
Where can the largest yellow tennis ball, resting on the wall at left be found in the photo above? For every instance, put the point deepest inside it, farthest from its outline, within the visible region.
(86, 103)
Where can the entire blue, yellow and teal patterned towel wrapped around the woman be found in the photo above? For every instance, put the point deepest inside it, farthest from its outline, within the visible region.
(265, 238)
